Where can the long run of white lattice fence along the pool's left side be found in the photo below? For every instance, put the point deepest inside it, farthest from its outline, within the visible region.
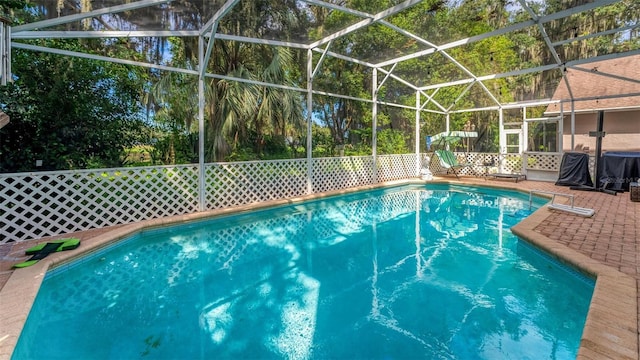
(42, 204)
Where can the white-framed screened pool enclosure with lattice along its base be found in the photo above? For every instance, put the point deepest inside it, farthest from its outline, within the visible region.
(245, 101)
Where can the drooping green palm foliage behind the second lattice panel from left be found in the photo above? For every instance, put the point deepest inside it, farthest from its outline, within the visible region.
(240, 118)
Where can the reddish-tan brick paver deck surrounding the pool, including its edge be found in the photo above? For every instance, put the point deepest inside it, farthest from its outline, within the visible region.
(605, 245)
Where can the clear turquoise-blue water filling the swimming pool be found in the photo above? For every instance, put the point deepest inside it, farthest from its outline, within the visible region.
(408, 272)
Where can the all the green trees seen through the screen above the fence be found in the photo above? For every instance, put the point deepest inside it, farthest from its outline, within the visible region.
(74, 113)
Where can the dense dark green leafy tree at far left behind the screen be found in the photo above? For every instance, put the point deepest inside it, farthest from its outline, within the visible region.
(70, 113)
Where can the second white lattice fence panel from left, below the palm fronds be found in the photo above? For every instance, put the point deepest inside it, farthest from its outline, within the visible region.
(241, 183)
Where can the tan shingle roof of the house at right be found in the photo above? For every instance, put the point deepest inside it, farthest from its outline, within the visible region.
(614, 77)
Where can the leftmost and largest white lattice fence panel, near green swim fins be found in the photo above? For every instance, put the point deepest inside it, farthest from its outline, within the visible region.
(50, 203)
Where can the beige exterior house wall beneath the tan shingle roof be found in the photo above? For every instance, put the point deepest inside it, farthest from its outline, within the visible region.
(622, 130)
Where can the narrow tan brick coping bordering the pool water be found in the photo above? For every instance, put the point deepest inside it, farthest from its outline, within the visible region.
(611, 329)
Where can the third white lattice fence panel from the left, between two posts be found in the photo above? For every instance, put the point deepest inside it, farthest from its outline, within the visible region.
(341, 173)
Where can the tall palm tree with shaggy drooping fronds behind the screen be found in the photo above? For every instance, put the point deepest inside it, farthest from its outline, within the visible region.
(239, 114)
